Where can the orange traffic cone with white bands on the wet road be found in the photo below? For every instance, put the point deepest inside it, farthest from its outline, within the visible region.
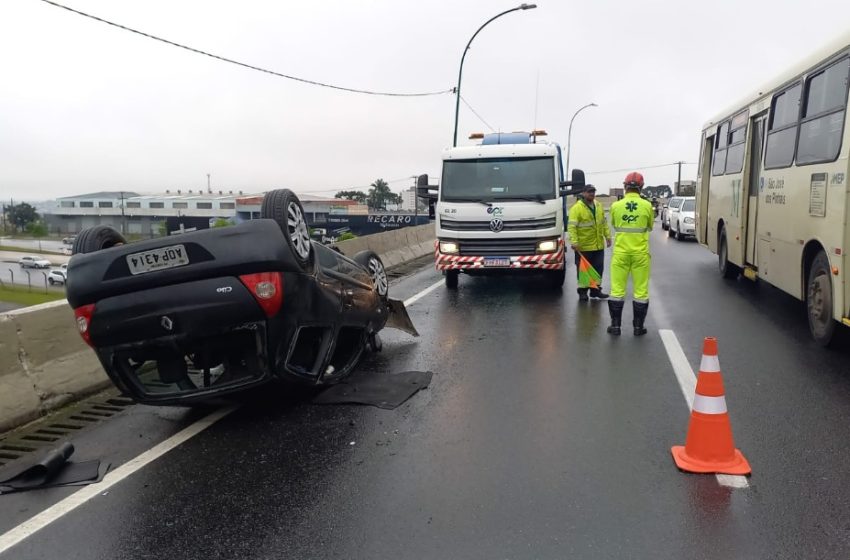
(709, 447)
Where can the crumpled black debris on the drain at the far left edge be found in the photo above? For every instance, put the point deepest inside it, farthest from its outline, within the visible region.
(54, 469)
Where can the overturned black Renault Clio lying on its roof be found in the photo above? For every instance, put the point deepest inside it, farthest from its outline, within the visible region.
(181, 319)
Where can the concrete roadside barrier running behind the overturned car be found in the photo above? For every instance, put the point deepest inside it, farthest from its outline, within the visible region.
(44, 364)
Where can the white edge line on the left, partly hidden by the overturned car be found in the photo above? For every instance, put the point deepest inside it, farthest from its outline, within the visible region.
(80, 497)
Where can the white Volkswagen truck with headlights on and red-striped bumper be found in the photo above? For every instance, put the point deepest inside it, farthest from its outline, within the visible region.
(501, 207)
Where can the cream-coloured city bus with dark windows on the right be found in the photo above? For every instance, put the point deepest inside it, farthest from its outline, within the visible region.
(772, 198)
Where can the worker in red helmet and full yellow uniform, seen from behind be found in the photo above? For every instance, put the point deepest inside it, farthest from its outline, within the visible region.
(631, 219)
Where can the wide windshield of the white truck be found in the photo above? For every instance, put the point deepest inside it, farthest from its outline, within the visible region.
(492, 179)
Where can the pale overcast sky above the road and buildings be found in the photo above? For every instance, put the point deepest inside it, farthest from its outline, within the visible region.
(87, 107)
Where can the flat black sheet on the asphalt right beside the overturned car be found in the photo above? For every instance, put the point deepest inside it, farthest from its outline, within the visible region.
(384, 391)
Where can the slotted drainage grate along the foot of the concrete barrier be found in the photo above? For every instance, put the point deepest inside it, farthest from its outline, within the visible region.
(61, 425)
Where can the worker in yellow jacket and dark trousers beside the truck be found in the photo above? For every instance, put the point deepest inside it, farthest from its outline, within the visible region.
(590, 235)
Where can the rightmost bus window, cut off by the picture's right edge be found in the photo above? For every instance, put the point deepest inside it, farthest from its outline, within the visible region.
(823, 115)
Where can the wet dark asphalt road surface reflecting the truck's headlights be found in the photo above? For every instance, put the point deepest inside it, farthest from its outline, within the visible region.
(540, 437)
